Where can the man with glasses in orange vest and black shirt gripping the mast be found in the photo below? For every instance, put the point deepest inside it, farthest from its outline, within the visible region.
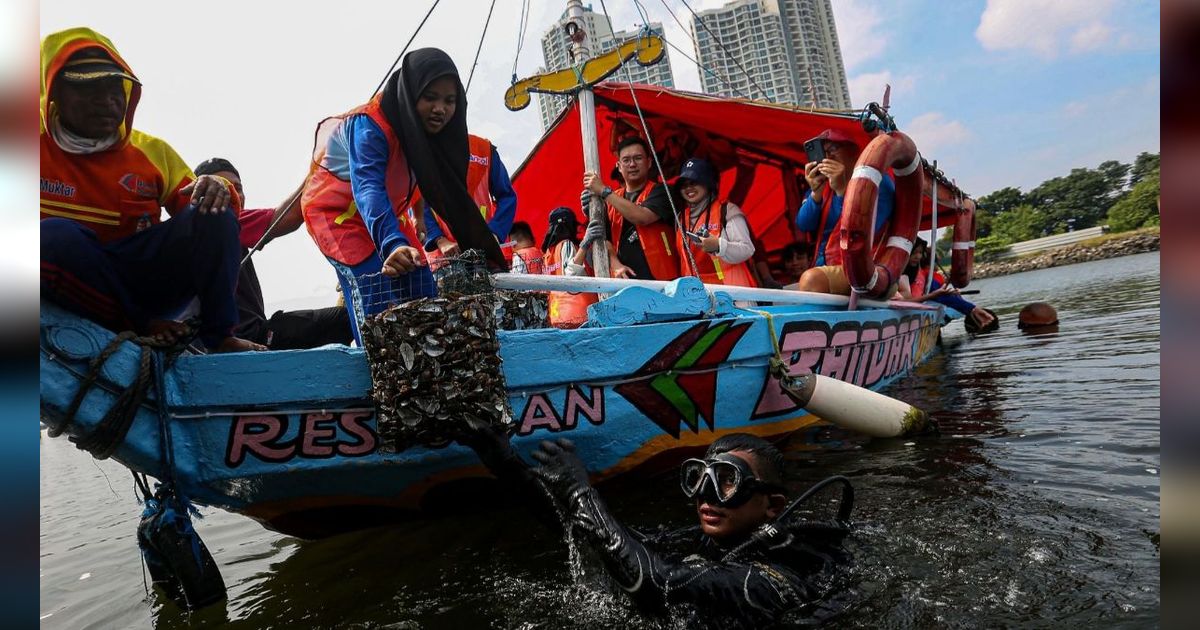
(640, 225)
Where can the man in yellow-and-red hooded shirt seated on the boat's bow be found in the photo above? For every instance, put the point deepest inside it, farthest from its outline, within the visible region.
(106, 254)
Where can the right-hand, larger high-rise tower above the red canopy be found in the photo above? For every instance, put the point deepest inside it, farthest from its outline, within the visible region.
(779, 51)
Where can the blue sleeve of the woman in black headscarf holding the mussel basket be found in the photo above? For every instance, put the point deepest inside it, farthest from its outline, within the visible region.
(369, 151)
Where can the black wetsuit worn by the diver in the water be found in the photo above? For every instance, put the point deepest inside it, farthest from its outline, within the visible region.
(752, 585)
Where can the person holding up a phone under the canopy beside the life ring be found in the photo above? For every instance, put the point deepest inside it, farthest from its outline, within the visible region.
(821, 212)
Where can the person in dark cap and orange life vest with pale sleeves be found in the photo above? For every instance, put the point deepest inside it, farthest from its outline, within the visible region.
(715, 230)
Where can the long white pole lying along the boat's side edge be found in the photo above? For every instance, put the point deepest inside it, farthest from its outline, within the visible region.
(598, 285)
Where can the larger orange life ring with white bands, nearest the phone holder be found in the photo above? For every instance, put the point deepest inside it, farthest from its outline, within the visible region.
(868, 278)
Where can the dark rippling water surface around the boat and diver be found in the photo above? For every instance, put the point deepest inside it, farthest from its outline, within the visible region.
(1036, 506)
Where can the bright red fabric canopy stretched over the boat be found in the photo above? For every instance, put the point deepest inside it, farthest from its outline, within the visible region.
(764, 143)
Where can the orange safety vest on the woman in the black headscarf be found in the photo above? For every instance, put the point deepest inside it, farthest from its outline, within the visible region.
(328, 202)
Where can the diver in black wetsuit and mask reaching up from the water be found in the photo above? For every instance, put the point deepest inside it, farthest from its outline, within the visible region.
(746, 566)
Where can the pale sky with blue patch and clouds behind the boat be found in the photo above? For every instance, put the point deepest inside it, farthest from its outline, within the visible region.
(1001, 93)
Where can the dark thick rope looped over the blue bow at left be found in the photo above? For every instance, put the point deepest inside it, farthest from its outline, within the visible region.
(112, 429)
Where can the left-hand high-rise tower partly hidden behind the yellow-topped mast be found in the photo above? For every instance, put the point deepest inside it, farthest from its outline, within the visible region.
(557, 53)
